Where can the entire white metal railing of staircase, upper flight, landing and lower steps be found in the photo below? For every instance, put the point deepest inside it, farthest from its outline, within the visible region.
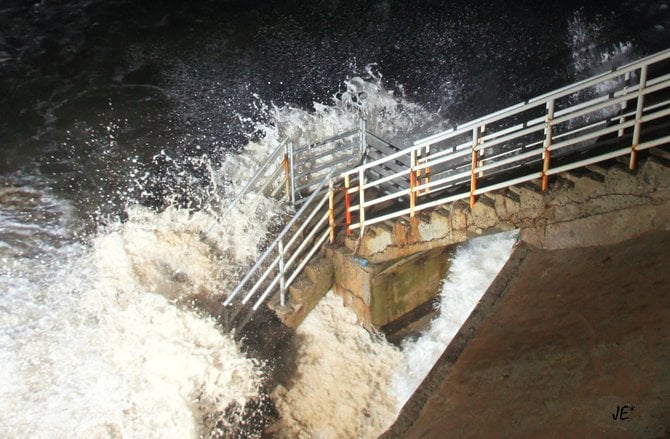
(503, 141)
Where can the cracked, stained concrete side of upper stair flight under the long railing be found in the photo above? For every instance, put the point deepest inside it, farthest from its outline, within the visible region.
(569, 198)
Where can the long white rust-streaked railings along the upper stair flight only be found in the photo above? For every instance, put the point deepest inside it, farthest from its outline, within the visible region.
(503, 148)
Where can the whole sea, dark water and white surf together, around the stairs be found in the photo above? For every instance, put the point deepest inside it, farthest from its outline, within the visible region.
(121, 149)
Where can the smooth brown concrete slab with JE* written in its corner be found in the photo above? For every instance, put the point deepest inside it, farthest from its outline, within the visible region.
(565, 343)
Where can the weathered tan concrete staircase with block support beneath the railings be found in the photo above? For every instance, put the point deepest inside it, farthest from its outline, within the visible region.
(402, 253)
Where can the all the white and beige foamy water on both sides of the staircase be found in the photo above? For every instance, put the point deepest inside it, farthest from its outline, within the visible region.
(97, 338)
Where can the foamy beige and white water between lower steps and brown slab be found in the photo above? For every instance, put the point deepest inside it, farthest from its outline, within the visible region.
(351, 383)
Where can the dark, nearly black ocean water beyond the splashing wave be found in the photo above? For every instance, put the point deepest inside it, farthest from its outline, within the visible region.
(191, 76)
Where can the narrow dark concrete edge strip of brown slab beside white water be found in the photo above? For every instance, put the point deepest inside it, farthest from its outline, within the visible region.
(412, 409)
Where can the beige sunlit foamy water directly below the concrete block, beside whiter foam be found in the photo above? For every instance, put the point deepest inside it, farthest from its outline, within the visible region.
(340, 387)
